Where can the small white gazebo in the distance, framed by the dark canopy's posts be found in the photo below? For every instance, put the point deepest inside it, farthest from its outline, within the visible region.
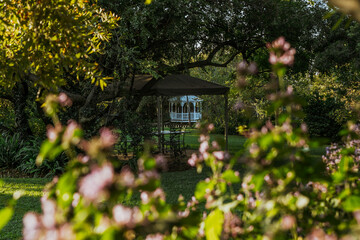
(185, 109)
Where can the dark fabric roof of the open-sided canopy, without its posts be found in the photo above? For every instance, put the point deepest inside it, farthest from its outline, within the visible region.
(176, 85)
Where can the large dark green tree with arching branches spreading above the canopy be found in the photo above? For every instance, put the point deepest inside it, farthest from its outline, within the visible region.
(168, 37)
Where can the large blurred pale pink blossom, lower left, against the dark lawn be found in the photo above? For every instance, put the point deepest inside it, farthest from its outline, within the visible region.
(92, 185)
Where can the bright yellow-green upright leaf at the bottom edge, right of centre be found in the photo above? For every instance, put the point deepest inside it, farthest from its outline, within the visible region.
(213, 225)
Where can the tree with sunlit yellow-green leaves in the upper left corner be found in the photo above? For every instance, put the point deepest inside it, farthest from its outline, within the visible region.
(45, 42)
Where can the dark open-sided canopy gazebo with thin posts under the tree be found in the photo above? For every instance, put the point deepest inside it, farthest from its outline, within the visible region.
(178, 85)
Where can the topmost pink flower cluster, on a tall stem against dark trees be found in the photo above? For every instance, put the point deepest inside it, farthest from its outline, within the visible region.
(281, 52)
